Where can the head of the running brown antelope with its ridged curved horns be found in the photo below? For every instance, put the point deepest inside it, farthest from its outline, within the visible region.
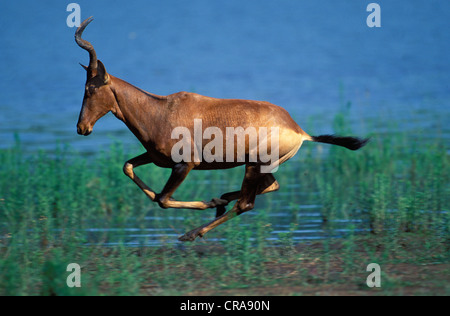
(98, 96)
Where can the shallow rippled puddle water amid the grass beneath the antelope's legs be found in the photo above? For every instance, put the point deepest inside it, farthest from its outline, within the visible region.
(310, 227)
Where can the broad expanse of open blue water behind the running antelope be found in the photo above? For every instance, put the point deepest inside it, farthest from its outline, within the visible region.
(307, 56)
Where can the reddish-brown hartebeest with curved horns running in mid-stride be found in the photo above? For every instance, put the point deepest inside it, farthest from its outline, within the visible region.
(152, 119)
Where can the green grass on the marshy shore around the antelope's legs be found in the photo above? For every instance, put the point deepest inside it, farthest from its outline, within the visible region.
(398, 186)
